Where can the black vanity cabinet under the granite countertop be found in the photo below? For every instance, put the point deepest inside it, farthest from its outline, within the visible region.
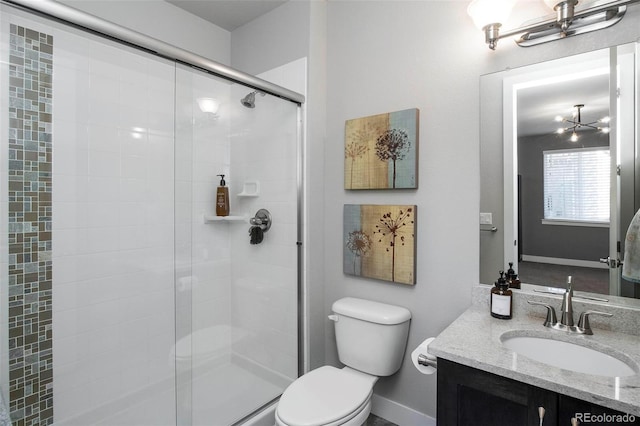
(472, 397)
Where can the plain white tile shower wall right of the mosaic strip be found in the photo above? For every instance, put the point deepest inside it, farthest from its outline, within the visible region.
(113, 310)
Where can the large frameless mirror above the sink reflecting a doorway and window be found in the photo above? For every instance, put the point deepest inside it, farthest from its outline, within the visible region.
(556, 204)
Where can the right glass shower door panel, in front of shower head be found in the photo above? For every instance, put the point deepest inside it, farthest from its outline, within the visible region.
(236, 324)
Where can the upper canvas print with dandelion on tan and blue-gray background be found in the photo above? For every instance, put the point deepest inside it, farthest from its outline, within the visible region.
(381, 151)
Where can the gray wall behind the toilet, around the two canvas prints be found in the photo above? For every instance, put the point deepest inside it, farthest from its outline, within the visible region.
(386, 56)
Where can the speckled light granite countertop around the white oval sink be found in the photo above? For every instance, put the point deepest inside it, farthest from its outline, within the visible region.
(473, 339)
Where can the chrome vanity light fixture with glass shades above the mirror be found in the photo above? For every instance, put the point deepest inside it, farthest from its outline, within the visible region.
(490, 15)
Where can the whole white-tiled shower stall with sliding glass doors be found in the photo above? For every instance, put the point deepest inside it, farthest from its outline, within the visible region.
(124, 299)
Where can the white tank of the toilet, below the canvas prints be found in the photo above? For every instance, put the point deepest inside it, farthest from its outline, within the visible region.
(371, 336)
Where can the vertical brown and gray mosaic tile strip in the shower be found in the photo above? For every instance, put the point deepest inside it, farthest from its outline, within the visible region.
(30, 266)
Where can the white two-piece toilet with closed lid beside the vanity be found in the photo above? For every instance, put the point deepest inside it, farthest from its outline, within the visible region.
(371, 338)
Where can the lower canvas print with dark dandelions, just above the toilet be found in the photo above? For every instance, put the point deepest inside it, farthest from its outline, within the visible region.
(379, 242)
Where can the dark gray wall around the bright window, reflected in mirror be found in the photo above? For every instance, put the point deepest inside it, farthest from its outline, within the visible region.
(565, 242)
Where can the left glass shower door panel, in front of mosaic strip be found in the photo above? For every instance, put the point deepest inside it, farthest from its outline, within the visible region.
(87, 206)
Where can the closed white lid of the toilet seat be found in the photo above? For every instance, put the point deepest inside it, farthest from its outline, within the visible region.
(324, 396)
